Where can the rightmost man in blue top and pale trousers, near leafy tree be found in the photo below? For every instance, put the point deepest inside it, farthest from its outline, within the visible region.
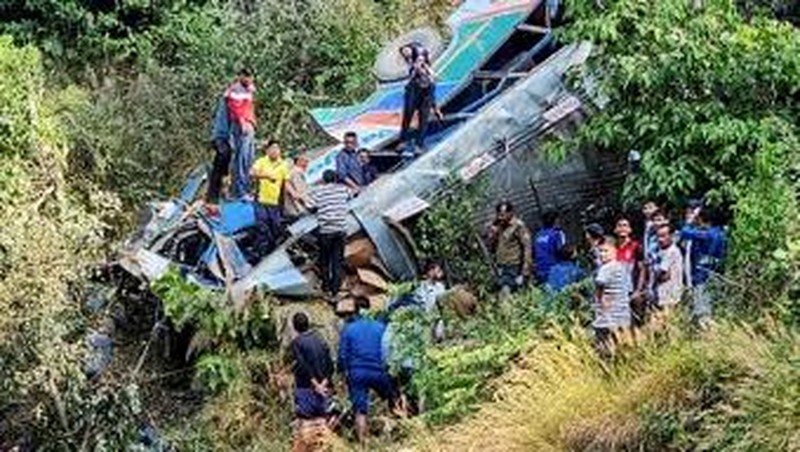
(707, 253)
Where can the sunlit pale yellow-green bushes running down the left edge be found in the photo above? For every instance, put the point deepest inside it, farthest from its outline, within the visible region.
(49, 233)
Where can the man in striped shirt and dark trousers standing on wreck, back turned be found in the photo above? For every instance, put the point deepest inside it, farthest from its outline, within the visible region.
(329, 202)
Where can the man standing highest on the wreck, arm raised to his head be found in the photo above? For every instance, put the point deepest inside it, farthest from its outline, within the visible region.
(419, 95)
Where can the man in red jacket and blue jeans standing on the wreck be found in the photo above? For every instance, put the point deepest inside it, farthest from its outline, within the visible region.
(242, 118)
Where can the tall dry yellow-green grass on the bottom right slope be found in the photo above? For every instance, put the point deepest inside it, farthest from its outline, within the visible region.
(729, 389)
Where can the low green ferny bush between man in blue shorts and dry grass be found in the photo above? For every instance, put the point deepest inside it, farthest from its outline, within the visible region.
(453, 377)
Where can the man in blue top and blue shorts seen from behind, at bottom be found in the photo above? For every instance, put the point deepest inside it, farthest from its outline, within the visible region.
(362, 362)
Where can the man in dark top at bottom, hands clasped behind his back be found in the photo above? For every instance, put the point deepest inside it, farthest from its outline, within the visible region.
(313, 374)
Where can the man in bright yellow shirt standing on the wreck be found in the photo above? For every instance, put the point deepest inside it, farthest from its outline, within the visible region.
(270, 172)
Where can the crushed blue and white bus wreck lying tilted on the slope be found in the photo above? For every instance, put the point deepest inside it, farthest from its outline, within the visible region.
(500, 84)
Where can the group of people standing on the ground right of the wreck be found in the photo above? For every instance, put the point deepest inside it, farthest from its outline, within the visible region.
(636, 279)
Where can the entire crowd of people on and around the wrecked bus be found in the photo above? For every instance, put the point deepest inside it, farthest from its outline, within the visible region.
(636, 279)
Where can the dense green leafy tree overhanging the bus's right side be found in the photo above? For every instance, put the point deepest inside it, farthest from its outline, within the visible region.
(710, 101)
